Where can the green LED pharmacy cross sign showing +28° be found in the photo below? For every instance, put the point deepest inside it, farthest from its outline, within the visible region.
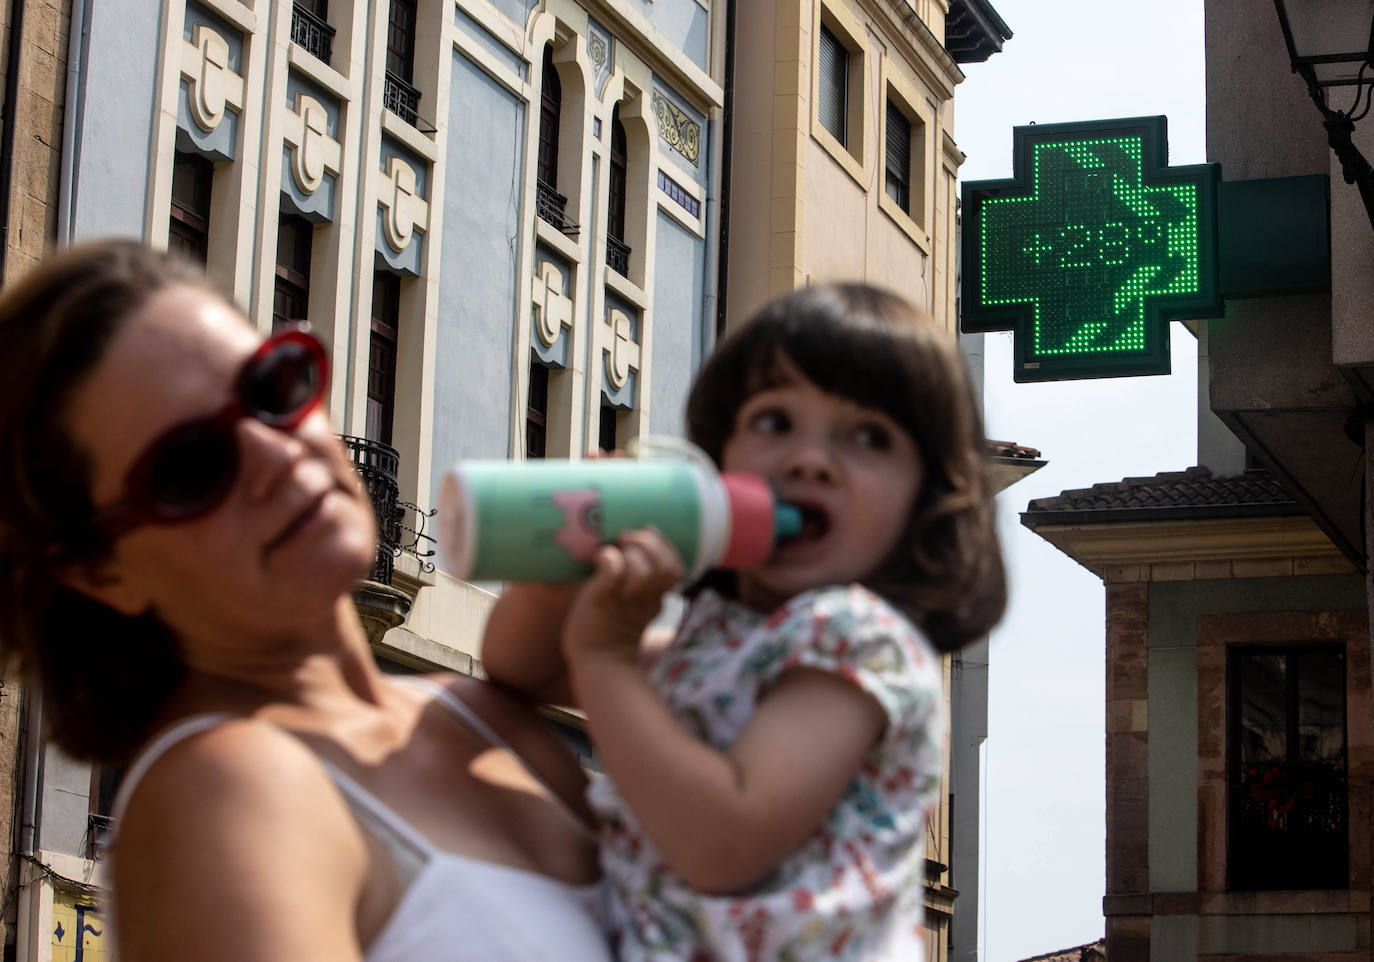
(1090, 249)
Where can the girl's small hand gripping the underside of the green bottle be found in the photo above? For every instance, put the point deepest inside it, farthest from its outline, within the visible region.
(626, 593)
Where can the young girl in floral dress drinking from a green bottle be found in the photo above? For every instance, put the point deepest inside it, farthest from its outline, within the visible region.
(773, 765)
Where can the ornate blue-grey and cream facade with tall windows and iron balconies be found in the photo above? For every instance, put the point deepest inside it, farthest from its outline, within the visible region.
(498, 216)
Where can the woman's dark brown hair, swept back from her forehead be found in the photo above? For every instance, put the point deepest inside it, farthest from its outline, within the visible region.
(104, 677)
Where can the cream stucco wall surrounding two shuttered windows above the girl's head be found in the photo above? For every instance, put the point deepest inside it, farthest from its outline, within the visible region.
(806, 208)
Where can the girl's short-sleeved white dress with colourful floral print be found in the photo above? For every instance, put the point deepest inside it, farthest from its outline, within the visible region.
(854, 888)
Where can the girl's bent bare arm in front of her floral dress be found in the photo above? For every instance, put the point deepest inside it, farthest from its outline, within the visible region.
(722, 821)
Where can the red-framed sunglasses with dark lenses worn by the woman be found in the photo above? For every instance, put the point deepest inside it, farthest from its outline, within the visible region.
(189, 469)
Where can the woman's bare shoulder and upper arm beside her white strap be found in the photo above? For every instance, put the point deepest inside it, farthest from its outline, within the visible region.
(237, 847)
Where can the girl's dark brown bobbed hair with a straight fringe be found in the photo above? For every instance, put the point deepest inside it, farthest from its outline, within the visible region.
(875, 348)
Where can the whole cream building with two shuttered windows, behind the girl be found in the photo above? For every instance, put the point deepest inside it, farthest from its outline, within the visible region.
(843, 167)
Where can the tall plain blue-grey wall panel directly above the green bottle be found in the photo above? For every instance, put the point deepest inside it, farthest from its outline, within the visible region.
(477, 288)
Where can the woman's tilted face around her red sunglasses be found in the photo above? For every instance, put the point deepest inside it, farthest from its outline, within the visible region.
(295, 533)
